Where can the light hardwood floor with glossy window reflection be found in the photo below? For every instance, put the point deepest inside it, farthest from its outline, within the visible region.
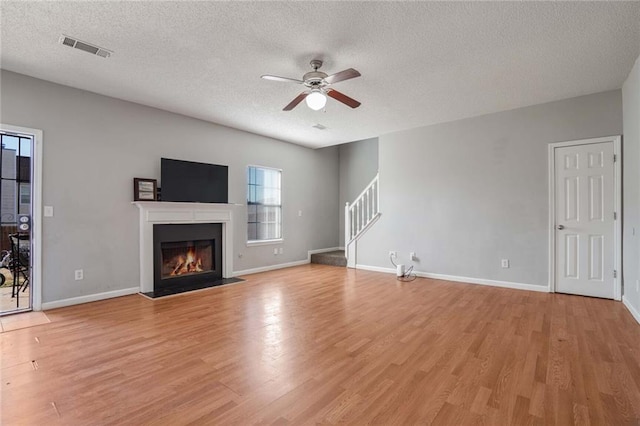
(321, 344)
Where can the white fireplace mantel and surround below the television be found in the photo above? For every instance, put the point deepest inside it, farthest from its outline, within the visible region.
(158, 212)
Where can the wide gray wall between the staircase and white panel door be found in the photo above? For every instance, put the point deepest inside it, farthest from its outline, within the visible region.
(465, 194)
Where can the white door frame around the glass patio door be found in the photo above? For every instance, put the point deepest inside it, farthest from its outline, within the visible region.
(36, 210)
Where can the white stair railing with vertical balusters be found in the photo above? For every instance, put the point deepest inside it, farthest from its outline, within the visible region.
(359, 215)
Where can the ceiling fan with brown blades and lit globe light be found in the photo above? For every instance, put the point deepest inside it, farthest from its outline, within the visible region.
(318, 85)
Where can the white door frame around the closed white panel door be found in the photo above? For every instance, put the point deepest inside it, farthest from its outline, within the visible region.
(617, 200)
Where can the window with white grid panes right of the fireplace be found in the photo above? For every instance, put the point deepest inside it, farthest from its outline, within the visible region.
(264, 204)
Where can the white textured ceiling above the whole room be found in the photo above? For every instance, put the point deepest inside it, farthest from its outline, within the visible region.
(421, 62)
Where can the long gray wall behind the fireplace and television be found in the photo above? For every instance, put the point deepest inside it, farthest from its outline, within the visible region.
(95, 145)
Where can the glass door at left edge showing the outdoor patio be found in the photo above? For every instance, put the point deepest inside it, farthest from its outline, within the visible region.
(15, 222)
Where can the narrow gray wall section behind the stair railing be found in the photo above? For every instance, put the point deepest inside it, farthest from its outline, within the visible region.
(358, 166)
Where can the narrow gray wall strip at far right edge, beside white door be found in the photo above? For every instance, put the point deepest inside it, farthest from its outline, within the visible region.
(631, 187)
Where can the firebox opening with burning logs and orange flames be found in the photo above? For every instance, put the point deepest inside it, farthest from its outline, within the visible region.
(190, 258)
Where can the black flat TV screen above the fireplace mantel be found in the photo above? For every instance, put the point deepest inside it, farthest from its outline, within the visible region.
(189, 181)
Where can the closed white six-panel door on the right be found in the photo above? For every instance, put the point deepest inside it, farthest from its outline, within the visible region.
(584, 219)
